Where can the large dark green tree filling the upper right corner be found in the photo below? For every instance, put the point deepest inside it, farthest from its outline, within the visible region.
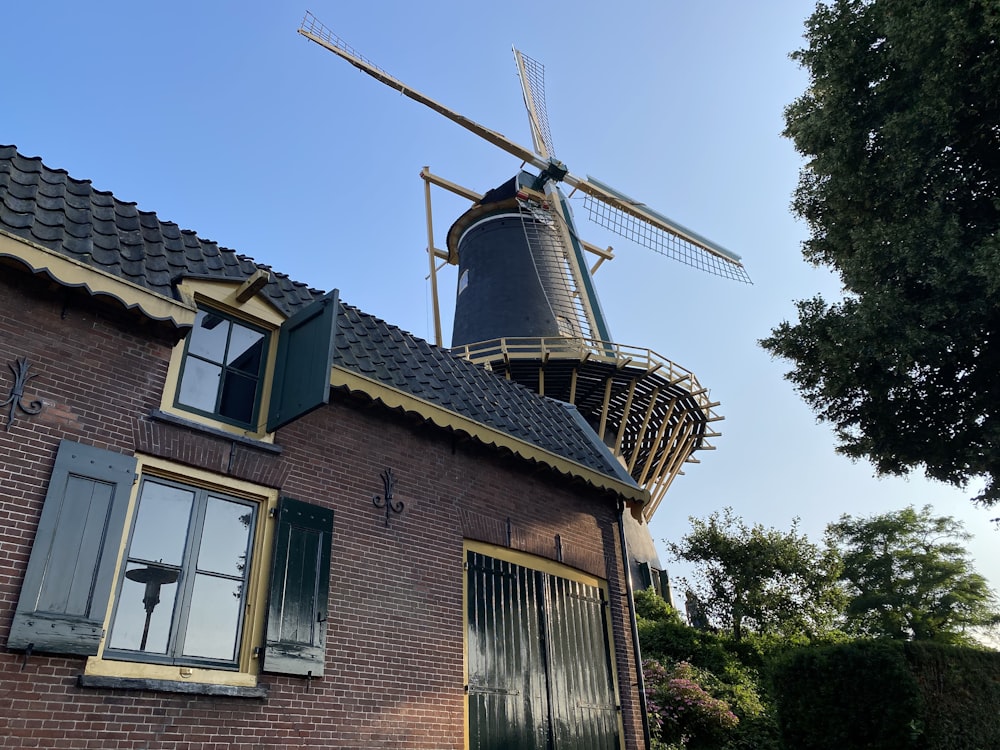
(900, 129)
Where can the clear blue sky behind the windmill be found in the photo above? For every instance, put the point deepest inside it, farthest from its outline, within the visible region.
(218, 116)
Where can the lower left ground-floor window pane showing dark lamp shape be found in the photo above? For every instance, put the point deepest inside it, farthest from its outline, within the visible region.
(145, 609)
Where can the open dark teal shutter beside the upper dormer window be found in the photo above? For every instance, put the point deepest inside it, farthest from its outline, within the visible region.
(301, 380)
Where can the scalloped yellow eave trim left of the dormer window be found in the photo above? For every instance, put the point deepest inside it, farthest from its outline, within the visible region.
(73, 273)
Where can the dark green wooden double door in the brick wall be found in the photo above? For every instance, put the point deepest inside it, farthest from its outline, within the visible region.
(538, 661)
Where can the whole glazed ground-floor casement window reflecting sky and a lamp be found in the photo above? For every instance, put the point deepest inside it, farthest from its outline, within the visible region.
(181, 598)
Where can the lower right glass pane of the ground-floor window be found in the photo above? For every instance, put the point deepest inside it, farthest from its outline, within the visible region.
(214, 618)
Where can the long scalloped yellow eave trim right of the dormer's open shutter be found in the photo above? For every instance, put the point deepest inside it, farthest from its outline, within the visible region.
(394, 398)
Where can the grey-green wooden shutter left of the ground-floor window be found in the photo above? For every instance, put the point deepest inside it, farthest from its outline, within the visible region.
(70, 572)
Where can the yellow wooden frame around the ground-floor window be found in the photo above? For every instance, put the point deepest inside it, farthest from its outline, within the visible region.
(257, 594)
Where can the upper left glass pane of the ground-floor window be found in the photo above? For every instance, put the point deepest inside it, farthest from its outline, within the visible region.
(161, 523)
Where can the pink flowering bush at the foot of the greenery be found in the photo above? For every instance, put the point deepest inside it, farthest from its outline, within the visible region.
(681, 712)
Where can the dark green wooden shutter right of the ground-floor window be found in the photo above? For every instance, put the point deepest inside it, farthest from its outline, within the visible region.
(300, 583)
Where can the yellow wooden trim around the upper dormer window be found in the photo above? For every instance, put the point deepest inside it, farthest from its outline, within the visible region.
(222, 295)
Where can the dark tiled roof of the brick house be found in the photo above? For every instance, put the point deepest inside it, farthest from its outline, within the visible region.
(68, 216)
